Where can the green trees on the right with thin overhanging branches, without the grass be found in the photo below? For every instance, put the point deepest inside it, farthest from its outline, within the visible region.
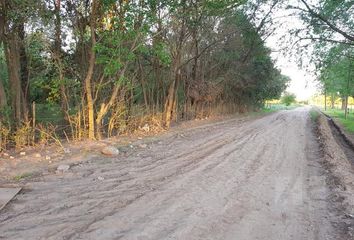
(328, 35)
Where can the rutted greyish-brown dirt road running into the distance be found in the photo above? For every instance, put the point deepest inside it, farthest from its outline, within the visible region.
(254, 179)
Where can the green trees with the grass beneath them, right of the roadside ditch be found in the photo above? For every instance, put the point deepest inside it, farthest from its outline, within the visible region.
(333, 56)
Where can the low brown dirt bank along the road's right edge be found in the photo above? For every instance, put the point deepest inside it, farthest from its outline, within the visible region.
(338, 161)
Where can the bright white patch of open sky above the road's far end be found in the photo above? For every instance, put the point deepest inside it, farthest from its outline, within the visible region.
(303, 83)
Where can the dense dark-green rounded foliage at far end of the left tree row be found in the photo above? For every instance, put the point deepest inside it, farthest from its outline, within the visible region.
(249, 65)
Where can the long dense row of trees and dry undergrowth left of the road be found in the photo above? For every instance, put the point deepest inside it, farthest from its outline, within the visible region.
(75, 70)
